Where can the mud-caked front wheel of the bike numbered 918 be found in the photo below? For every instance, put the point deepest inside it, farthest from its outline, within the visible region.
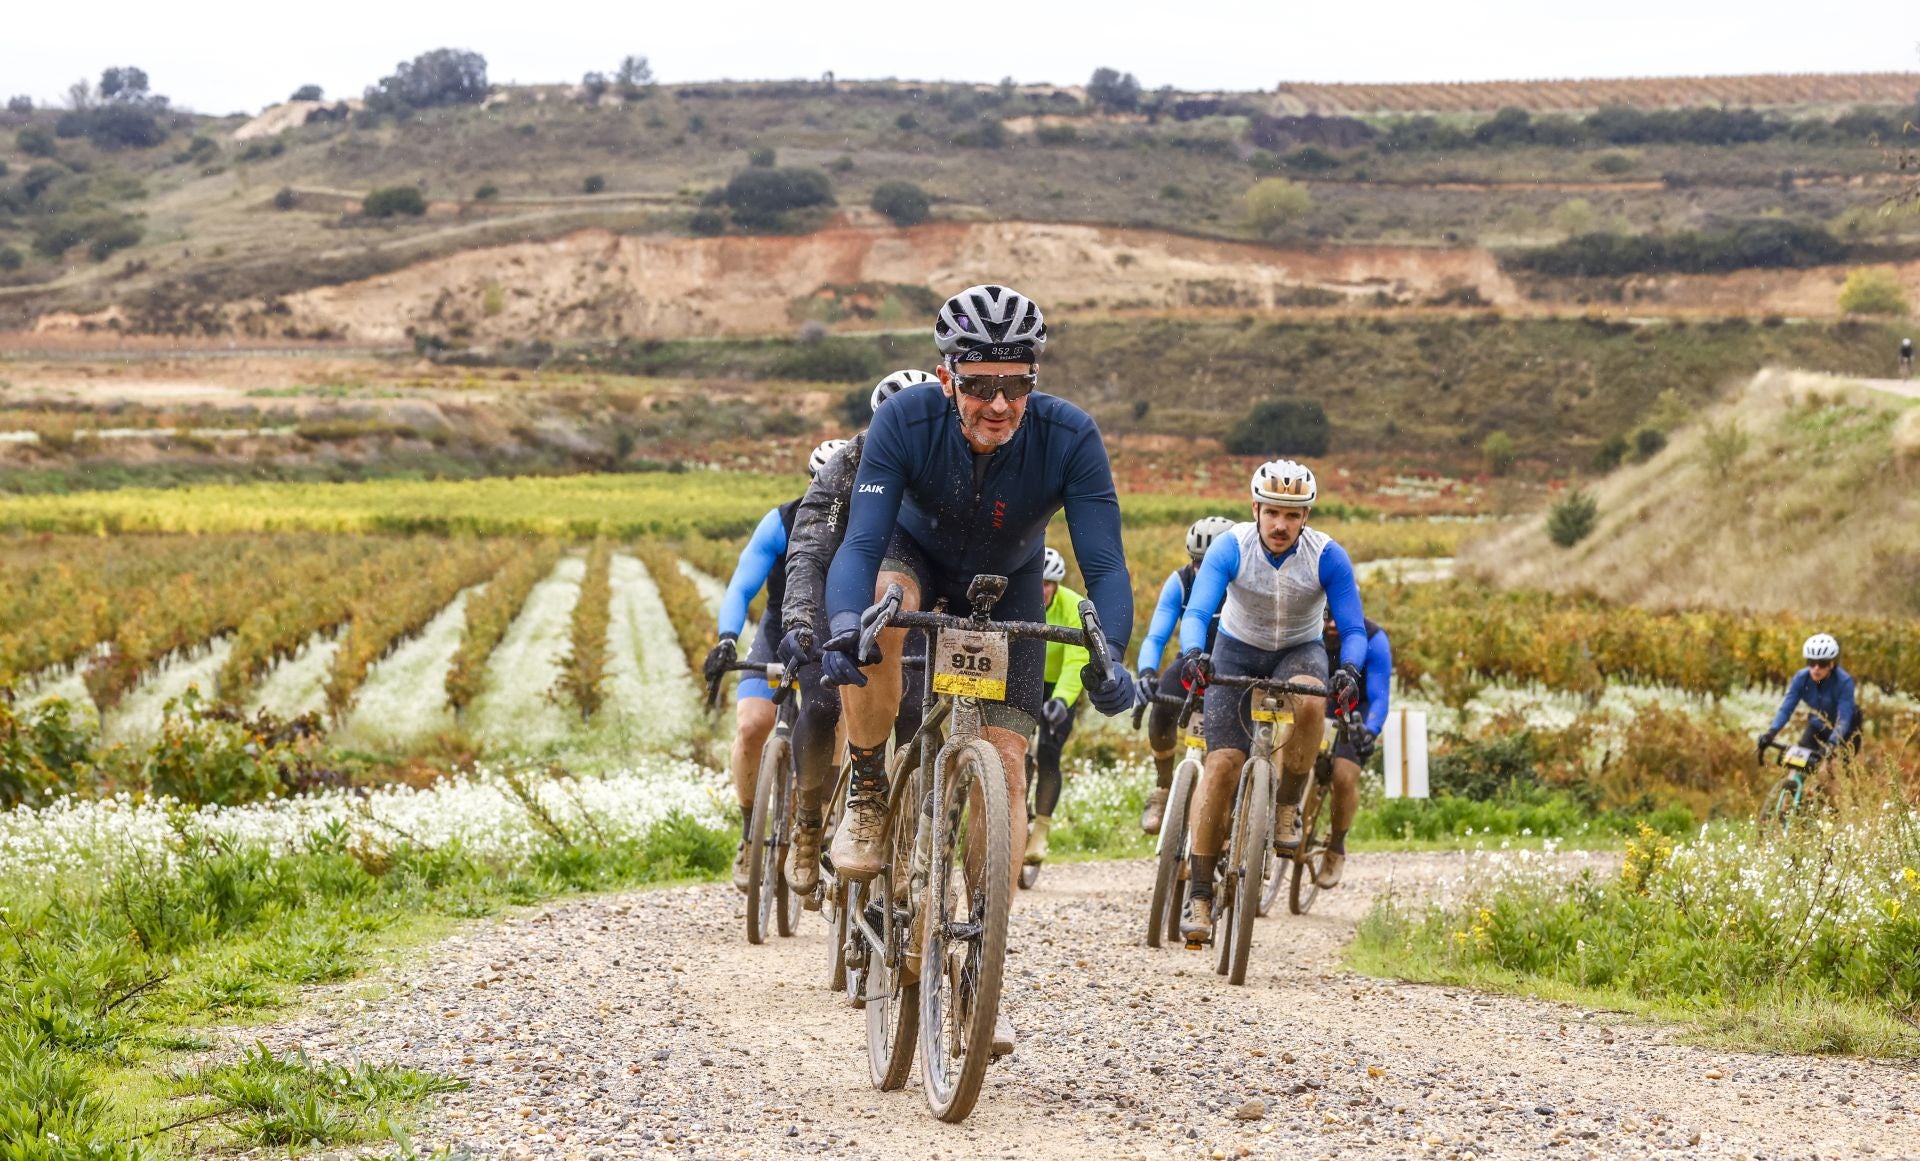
(957, 1031)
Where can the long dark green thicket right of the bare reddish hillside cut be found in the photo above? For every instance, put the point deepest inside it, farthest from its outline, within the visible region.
(1754, 245)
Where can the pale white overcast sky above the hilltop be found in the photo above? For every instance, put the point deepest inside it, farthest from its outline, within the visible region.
(222, 57)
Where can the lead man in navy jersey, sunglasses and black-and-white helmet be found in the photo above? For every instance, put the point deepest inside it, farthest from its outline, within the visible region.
(963, 481)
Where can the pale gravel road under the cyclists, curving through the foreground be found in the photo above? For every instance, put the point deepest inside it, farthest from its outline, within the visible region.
(642, 1026)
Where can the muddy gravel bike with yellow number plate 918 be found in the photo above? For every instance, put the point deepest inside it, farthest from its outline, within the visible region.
(948, 884)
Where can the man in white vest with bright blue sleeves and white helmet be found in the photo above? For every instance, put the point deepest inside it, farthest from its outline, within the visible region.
(1272, 580)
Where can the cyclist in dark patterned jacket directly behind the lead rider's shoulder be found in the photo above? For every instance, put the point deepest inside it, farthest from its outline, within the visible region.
(819, 529)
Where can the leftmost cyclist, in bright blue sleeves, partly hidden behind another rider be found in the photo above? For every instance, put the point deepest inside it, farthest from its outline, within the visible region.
(761, 565)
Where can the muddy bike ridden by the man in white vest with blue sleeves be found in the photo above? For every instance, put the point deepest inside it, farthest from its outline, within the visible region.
(1249, 857)
